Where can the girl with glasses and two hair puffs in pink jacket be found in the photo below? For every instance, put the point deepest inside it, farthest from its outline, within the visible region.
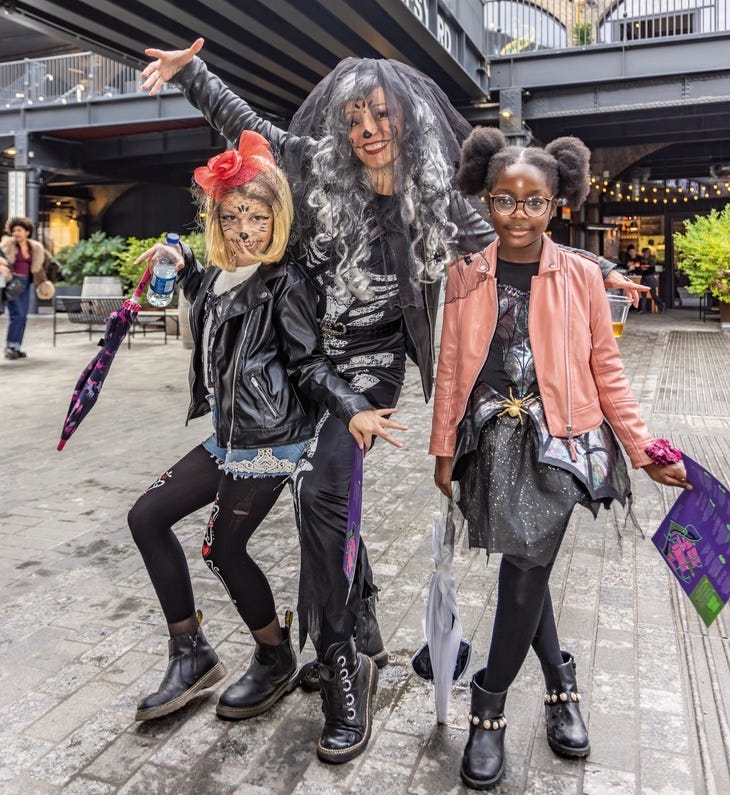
(530, 397)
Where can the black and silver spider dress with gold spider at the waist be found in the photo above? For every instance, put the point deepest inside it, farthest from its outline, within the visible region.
(518, 484)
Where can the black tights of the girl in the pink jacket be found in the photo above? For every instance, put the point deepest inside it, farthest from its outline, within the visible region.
(524, 617)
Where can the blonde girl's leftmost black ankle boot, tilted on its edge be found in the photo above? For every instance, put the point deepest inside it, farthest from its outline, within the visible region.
(193, 666)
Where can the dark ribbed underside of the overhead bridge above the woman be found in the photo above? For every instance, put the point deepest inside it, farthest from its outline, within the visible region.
(270, 51)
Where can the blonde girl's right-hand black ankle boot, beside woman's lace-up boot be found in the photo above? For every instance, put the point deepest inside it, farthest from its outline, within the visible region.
(270, 676)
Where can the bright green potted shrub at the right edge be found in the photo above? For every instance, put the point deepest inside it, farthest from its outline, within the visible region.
(703, 254)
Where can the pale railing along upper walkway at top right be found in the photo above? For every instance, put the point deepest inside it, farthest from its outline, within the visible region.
(514, 26)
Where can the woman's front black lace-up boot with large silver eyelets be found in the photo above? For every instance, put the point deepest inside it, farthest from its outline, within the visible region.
(348, 682)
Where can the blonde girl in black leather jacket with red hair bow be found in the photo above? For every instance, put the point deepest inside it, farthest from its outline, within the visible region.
(258, 368)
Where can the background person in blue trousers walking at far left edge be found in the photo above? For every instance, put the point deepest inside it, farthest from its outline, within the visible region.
(25, 258)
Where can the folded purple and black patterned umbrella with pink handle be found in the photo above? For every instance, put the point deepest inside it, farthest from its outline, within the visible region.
(91, 380)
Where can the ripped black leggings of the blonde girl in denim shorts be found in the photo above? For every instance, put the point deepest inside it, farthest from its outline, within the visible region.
(239, 508)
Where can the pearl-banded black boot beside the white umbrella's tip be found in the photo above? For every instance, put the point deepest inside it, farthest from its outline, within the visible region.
(482, 764)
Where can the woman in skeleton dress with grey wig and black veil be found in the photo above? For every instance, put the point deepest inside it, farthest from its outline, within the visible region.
(370, 156)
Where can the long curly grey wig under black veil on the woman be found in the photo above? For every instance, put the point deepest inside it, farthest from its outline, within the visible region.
(337, 194)
